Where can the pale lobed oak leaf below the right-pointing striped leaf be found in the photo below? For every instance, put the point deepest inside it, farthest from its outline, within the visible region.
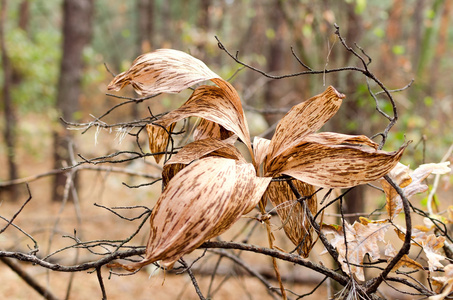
(361, 239)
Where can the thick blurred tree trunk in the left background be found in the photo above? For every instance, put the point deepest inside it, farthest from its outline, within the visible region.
(77, 31)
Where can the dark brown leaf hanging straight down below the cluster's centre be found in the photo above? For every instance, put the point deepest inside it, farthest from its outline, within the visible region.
(291, 213)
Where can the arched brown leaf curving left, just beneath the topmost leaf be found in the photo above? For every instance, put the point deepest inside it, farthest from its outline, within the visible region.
(216, 105)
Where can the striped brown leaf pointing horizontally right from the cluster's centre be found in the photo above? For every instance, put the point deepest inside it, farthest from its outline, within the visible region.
(332, 165)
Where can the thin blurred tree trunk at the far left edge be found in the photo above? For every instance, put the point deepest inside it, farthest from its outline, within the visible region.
(10, 115)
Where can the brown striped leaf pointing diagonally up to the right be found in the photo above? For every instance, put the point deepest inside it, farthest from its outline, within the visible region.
(304, 119)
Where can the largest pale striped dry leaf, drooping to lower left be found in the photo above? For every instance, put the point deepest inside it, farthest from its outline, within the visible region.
(200, 202)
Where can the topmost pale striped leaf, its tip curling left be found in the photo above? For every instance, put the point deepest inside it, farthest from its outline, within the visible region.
(163, 71)
